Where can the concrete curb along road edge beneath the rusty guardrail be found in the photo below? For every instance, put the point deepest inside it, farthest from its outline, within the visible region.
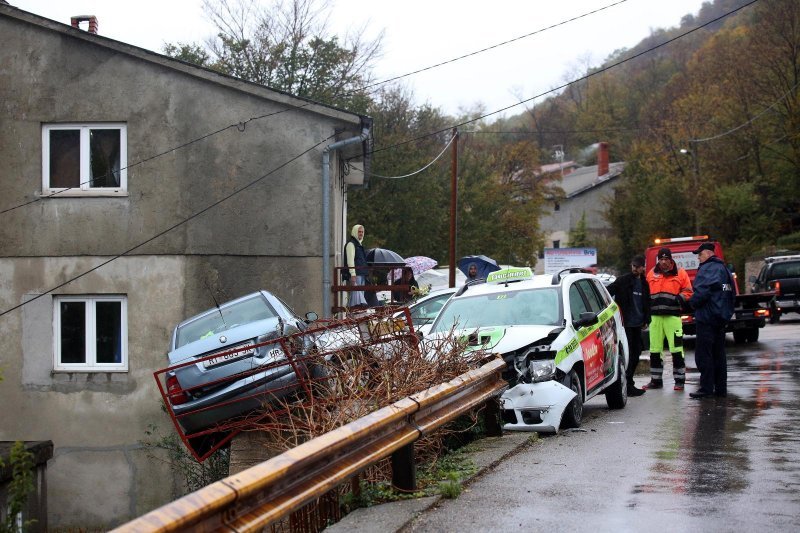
(485, 454)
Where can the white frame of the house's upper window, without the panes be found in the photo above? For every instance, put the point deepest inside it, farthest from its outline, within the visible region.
(85, 175)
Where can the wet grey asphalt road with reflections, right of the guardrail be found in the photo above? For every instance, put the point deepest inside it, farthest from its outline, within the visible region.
(664, 463)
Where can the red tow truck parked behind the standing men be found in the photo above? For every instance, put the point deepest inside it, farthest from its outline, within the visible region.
(749, 315)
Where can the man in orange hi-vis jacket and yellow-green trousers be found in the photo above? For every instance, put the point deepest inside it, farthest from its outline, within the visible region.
(670, 290)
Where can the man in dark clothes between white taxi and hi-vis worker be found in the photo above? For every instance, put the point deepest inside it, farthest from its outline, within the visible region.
(632, 295)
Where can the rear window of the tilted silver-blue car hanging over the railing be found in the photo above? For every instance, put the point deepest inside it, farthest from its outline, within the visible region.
(235, 314)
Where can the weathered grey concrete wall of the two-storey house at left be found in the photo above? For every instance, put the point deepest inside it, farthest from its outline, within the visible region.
(268, 236)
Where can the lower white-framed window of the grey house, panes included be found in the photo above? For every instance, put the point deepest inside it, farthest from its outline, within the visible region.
(91, 333)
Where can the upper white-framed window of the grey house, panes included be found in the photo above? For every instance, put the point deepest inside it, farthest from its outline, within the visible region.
(84, 159)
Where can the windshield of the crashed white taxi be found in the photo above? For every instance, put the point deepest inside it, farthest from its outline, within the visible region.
(510, 308)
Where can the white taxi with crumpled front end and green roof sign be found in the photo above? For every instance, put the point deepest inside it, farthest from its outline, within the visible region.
(561, 336)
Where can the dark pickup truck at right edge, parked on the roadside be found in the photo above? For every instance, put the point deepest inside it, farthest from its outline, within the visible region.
(781, 275)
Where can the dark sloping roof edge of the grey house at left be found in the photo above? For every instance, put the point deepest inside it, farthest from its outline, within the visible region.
(190, 69)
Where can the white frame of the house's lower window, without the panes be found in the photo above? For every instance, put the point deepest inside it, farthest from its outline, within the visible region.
(91, 364)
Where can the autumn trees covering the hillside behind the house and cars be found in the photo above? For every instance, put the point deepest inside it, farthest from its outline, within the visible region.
(706, 117)
